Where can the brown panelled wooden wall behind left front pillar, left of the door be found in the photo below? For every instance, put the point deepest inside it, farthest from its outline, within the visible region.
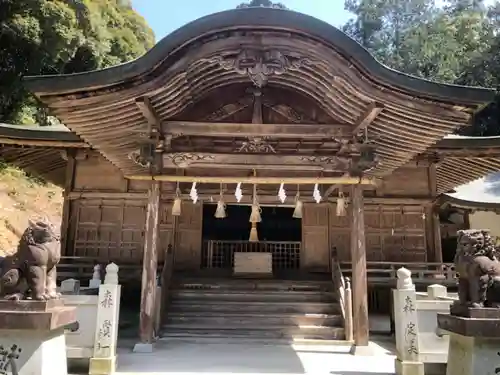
(112, 227)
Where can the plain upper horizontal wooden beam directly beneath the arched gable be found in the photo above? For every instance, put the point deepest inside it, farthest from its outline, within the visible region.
(221, 129)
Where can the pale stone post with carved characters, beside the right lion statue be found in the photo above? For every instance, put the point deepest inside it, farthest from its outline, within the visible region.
(406, 326)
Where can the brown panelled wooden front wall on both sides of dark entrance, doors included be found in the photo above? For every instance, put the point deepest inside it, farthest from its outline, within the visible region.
(113, 227)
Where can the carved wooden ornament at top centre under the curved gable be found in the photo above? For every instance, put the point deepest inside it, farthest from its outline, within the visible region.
(259, 65)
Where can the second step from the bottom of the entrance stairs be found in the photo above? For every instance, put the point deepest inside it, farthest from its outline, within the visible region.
(246, 319)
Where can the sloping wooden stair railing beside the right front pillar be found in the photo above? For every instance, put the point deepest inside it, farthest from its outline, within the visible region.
(343, 287)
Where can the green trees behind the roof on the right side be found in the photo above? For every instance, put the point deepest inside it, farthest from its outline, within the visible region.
(456, 43)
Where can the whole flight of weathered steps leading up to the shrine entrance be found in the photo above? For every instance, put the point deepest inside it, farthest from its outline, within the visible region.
(266, 311)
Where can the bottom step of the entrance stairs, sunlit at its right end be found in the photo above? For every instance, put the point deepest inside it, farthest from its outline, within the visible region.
(278, 332)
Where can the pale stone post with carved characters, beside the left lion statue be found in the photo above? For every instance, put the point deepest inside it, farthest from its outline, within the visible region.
(103, 361)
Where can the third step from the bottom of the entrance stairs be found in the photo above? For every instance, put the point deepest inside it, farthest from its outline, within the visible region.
(201, 306)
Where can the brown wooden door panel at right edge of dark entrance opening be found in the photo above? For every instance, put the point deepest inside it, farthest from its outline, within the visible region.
(315, 237)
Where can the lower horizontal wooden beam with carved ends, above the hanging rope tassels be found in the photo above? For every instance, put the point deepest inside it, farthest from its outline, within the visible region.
(272, 161)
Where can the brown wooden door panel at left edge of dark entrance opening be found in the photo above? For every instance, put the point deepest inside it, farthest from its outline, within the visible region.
(189, 231)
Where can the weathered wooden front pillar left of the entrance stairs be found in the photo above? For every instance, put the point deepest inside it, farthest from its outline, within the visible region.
(149, 266)
